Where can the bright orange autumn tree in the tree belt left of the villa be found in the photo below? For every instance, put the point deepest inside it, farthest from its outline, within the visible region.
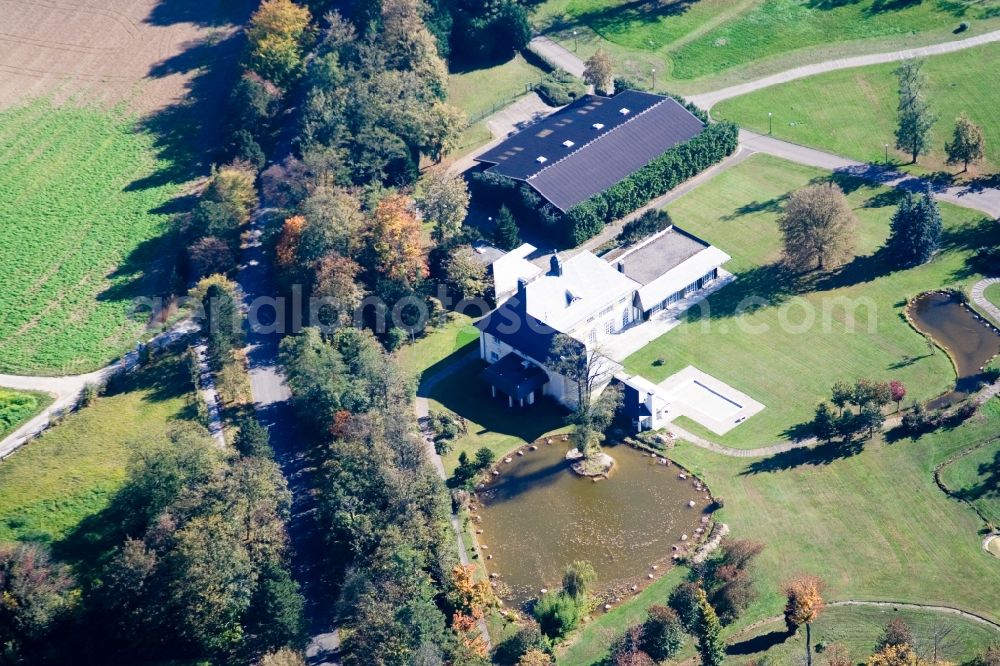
(395, 240)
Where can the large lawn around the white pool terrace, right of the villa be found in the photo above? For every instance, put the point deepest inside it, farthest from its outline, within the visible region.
(802, 338)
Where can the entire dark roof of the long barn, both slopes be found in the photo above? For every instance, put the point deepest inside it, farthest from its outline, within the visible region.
(593, 143)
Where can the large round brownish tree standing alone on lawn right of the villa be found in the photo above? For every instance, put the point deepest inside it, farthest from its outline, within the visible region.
(817, 227)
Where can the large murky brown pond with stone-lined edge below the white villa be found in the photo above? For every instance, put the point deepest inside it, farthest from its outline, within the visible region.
(538, 516)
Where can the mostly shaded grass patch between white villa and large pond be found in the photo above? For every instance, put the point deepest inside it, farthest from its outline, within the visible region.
(489, 422)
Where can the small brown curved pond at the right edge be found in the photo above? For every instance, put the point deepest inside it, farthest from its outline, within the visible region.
(970, 341)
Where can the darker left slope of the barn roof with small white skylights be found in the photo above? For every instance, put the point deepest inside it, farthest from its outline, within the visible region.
(517, 157)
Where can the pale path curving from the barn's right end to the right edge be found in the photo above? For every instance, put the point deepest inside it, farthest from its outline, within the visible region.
(710, 99)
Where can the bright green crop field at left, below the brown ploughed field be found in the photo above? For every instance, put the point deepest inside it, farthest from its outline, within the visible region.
(84, 214)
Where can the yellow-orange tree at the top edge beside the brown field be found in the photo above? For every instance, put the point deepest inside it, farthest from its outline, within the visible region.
(277, 36)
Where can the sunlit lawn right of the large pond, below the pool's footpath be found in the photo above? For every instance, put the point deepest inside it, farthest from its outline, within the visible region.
(872, 524)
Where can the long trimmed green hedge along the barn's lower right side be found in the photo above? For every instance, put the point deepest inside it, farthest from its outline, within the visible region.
(655, 179)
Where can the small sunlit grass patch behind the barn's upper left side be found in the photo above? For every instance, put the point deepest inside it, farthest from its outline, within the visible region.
(480, 92)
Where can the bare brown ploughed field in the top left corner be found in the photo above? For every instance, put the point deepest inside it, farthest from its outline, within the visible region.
(141, 52)
